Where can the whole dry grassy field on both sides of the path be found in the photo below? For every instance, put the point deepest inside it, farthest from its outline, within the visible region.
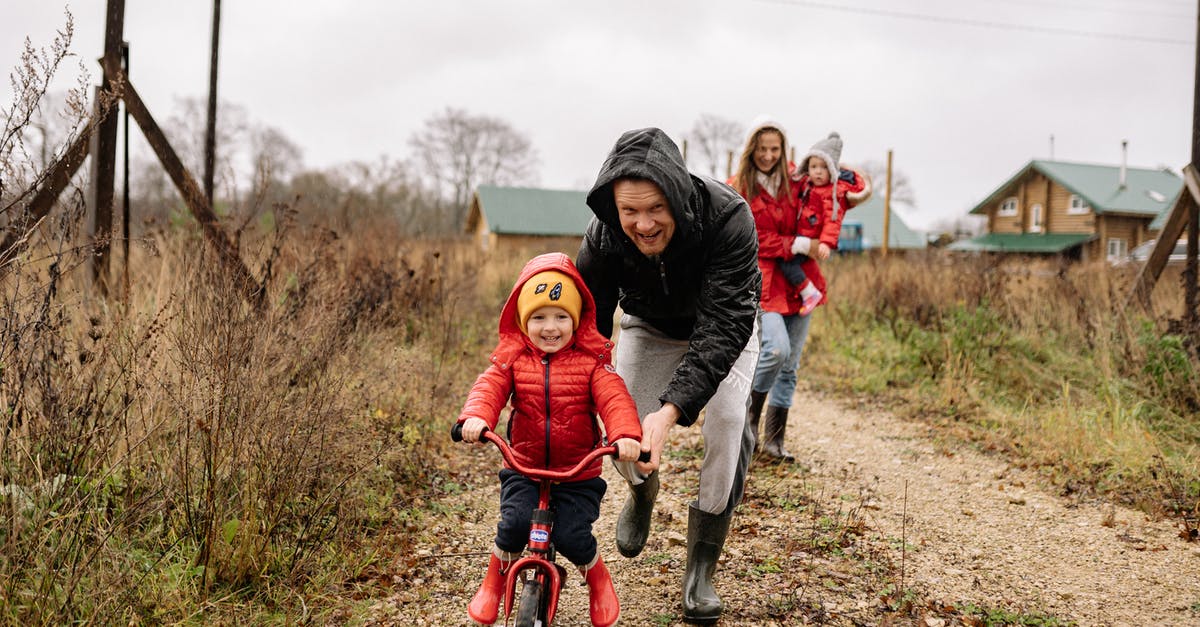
(175, 455)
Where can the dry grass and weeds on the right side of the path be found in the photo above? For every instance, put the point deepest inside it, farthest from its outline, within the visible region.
(1040, 360)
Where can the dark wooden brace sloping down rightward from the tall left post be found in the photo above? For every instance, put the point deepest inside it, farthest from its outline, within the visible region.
(190, 190)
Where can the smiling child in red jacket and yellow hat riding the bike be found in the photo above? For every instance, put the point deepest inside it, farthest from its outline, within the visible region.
(555, 368)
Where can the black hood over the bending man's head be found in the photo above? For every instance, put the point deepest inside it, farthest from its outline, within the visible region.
(646, 154)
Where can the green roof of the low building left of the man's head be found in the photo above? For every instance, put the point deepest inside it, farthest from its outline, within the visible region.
(533, 212)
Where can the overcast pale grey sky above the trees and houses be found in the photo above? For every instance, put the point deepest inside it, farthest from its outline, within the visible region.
(963, 92)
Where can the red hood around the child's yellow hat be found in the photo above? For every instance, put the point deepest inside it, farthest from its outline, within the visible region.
(514, 341)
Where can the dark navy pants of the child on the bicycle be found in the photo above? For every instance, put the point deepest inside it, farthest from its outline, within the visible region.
(577, 506)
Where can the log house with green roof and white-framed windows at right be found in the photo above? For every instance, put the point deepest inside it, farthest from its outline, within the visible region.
(1078, 211)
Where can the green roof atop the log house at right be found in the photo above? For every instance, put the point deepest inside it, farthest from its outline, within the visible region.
(1147, 192)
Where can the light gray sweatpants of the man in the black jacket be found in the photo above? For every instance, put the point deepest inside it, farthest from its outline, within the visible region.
(647, 360)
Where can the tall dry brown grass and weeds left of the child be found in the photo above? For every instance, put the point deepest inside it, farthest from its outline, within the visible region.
(175, 453)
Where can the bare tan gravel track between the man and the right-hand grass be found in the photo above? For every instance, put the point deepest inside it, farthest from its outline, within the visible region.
(988, 533)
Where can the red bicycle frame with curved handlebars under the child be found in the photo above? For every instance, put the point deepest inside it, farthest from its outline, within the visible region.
(541, 564)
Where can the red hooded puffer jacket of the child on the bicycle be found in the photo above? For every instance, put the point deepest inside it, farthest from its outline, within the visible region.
(555, 397)
